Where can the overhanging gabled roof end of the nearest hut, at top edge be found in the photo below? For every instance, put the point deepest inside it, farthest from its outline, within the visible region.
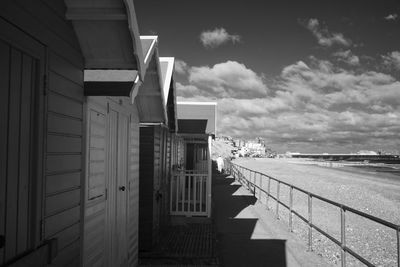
(108, 34)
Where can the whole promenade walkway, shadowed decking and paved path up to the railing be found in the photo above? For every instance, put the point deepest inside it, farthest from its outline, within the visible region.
(241, 232)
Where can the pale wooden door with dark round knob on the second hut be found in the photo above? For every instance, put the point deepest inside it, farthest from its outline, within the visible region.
(118, 175)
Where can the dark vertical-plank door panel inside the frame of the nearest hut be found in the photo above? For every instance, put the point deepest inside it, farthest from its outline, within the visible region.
(19, 82)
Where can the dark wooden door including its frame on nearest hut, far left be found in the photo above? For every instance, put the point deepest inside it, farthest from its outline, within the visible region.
(21, 66)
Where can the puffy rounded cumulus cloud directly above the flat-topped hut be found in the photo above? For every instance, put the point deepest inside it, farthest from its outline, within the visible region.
(228, 79)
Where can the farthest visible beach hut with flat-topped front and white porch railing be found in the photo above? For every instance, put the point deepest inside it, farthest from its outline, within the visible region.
(191, 182)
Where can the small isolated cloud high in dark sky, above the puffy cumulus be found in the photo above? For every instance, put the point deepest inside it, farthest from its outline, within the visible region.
(217, 37)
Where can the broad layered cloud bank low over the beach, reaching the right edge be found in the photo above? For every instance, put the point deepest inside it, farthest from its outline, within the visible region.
(312, 106)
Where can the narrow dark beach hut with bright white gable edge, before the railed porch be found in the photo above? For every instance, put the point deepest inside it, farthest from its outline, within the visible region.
(156, 160)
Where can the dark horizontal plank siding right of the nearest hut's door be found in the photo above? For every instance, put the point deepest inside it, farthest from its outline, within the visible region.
(64, 156)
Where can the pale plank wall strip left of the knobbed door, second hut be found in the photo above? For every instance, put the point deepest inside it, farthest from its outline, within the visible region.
(95, 220)
